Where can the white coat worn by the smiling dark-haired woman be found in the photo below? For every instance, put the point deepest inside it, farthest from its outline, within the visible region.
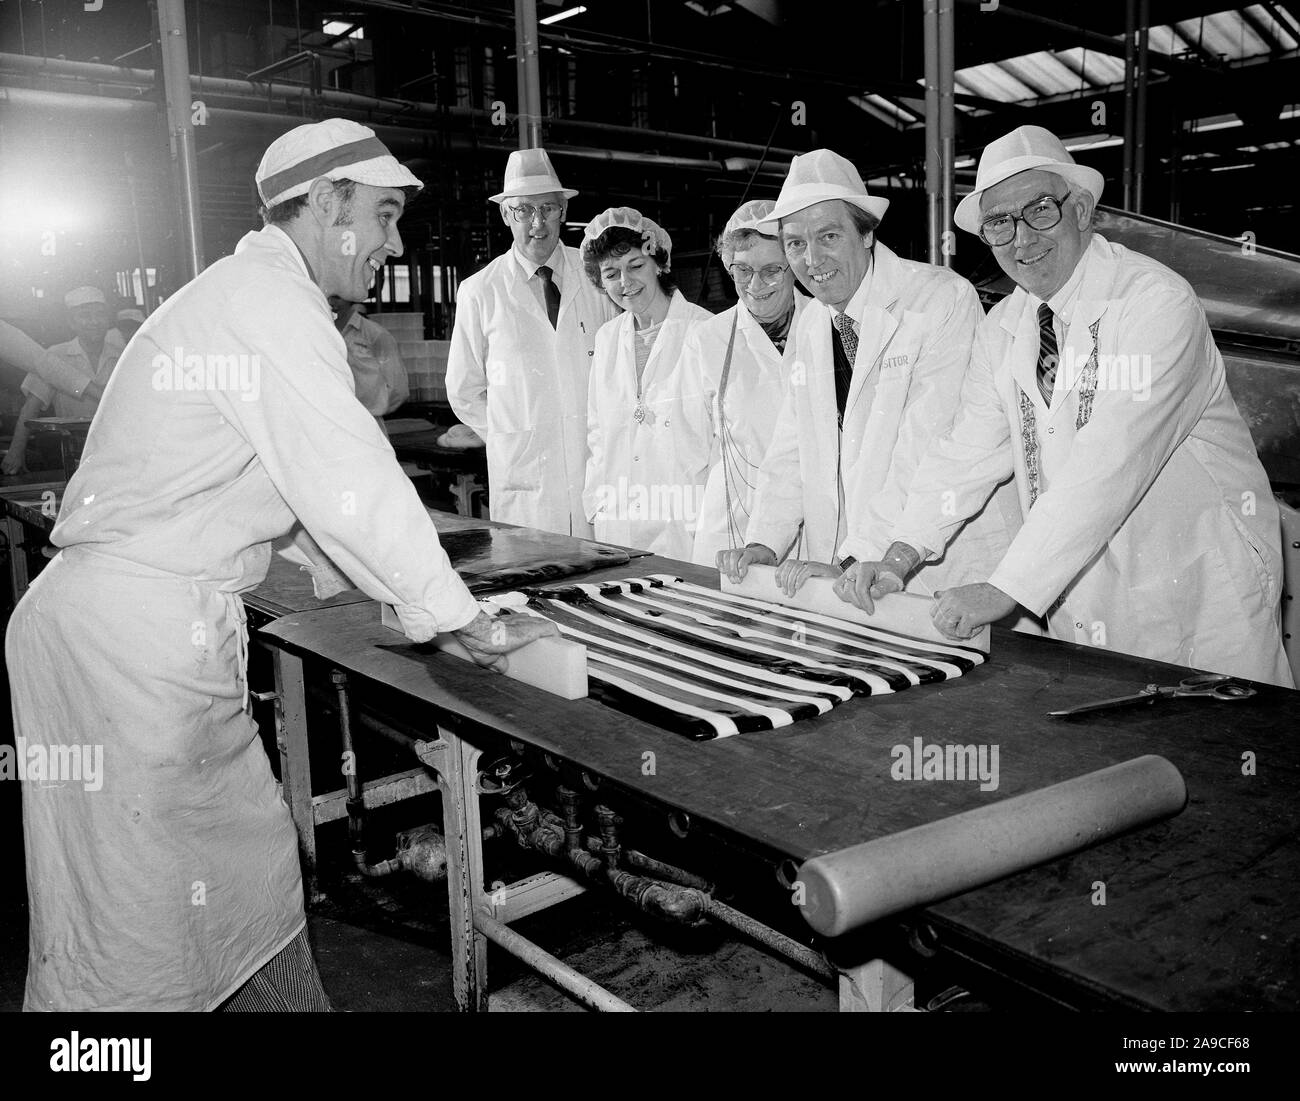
(645, 482)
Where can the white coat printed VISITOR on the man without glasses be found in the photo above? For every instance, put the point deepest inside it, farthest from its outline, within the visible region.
(913, 352)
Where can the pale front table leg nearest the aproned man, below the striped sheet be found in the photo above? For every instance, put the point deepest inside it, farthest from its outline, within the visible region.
(463, 834)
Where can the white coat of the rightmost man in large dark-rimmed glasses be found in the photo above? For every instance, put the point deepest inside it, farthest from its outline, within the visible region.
(1155, 532)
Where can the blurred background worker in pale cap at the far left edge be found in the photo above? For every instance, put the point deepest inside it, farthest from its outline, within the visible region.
(92, 357)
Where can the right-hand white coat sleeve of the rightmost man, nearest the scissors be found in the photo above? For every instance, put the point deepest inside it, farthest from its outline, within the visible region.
(1119, 454)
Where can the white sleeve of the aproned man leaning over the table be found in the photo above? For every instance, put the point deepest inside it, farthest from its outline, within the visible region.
(331, 462)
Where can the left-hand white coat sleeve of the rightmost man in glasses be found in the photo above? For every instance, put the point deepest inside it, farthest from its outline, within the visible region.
(961, 469)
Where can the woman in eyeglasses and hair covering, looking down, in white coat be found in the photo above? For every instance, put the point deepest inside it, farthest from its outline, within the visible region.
(744, 358)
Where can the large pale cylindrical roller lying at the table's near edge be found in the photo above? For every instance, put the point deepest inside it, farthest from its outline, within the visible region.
(869, 882)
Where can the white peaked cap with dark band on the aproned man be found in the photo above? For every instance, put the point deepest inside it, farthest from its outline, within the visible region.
(336, 149)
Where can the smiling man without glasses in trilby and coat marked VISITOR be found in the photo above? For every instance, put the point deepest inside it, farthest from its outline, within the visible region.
(878, 370)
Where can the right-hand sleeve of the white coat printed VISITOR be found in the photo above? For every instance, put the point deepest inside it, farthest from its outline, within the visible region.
(934, 397)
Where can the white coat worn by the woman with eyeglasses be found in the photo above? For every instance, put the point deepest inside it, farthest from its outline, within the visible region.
(746, 421)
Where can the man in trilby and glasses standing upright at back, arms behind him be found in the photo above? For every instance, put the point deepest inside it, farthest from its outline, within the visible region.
(522, 354)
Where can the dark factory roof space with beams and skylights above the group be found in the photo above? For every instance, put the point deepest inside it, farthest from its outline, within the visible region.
(681, 107)
